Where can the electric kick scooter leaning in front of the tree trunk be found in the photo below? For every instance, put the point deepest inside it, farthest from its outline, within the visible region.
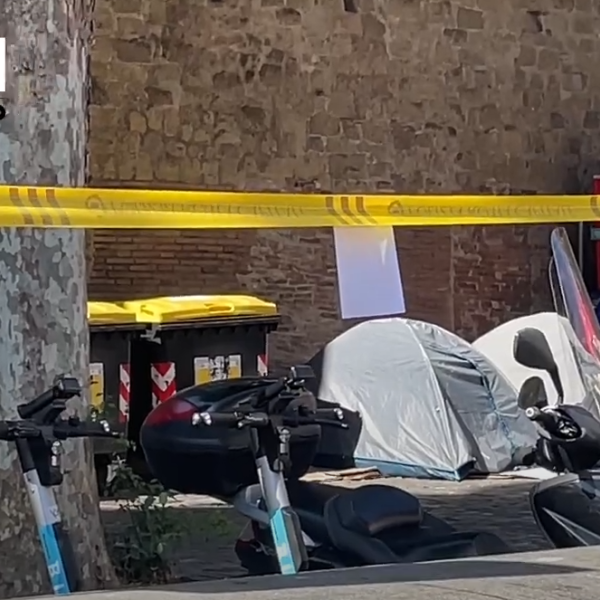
(38, 435)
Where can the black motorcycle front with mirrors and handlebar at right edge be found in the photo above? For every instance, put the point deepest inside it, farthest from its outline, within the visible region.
(566, 506)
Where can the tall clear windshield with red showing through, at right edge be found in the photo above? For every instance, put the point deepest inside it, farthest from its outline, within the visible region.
(572, 301)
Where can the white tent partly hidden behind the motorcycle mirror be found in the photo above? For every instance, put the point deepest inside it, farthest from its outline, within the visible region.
(575, 365)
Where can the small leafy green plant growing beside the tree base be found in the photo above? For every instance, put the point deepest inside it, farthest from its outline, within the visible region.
(140, 551)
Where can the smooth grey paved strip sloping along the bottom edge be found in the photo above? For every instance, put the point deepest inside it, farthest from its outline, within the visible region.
(563, 574)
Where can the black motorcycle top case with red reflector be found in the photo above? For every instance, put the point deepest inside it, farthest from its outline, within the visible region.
(213, 460)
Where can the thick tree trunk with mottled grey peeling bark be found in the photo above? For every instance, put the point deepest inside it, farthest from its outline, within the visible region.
(43, 329)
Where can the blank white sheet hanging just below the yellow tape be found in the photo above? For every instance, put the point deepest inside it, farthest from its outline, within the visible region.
(369, 280)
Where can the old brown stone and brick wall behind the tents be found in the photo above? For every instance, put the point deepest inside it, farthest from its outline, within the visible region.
(333, 95)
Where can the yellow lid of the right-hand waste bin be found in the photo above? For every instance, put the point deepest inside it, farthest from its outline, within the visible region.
(190, 308)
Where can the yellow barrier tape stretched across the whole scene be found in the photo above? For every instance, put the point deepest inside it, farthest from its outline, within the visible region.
(158, 209)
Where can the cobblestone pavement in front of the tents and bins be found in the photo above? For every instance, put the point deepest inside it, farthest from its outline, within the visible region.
(498, 505)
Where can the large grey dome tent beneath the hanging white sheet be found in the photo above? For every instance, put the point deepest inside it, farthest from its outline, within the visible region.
(431, 405)
